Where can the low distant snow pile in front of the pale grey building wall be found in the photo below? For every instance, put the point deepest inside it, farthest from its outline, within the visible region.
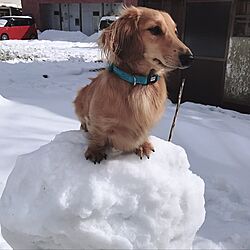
(59, 35)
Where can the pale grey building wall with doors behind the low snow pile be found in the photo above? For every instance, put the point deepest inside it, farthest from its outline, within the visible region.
(83, 17)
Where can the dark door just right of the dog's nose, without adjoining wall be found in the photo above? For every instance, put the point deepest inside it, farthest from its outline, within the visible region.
(206, 34)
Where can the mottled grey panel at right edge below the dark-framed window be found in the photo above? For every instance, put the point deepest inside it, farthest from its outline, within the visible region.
(237, 82)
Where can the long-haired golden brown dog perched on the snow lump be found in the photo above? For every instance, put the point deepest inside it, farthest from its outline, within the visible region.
(116, 113)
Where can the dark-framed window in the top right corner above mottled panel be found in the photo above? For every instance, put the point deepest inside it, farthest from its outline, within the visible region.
(242, 19)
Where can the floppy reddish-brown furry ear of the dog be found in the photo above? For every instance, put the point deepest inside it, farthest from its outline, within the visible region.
(122, 40)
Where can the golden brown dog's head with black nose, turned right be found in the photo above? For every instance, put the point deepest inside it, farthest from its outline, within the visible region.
(143, 34)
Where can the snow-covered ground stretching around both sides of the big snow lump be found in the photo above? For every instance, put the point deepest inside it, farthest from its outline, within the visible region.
(38, 82)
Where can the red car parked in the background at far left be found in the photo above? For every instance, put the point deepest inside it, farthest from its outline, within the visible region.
(17, 27)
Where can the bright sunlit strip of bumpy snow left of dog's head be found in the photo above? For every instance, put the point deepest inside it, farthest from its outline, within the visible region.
(15, 51)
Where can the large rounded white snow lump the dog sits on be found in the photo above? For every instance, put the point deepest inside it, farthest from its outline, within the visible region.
(55, 199)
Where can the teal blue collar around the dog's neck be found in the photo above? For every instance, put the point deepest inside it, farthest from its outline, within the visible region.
(134, 79)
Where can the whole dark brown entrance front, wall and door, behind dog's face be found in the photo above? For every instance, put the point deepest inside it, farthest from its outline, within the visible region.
(204, 25)
